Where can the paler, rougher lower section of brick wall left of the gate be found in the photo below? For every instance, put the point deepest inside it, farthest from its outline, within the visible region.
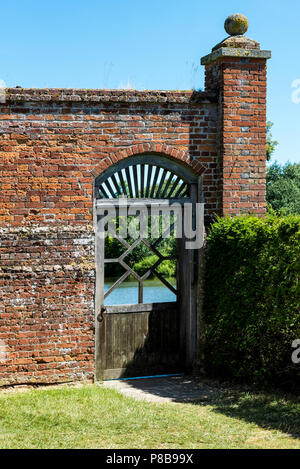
(47, 280)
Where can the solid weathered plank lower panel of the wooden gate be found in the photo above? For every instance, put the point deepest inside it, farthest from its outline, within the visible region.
(141, 342)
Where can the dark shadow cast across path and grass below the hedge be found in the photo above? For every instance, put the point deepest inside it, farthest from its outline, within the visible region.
(276, 411)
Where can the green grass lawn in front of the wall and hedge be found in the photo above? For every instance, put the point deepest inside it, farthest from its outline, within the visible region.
(94, 417)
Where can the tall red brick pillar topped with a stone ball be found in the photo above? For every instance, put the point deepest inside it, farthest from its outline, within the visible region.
(236, 70)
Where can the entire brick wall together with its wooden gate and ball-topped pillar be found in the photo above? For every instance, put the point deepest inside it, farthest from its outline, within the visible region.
(149, 148)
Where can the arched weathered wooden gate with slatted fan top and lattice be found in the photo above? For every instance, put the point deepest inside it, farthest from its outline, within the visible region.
(143, 328)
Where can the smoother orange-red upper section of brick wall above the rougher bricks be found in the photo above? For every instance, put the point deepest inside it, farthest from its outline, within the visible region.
(52, 140)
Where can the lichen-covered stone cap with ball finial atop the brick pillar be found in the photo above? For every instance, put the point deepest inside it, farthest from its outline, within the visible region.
(236, 45)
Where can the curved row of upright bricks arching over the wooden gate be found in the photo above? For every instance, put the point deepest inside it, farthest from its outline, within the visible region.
(154, 148)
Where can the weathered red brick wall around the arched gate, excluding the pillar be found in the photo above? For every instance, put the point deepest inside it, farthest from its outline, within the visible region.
(52, 144)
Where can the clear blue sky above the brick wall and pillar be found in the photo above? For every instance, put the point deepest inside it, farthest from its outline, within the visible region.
(149, 44)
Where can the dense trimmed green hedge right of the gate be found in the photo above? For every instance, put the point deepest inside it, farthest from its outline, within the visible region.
(252, 299)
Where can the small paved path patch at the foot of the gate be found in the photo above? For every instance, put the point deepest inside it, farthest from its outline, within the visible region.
(166, 389)
